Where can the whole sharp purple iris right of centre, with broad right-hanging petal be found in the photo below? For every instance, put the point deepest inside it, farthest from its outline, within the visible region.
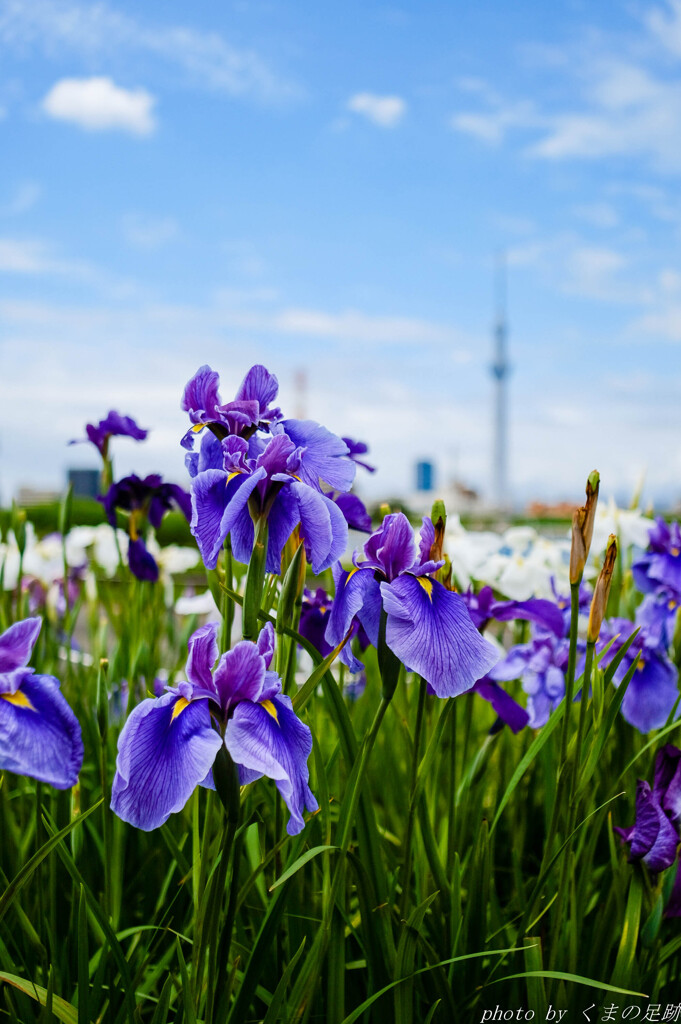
(428, 626)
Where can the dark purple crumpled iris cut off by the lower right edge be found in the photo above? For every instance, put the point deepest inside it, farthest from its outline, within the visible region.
(655, 835)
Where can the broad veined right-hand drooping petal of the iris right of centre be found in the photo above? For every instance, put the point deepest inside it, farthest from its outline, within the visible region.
(430, 630)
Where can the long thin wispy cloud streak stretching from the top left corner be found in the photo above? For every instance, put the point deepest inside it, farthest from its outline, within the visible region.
(89, 30)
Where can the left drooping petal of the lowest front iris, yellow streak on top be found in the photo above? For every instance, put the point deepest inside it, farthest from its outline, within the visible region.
(163, 756)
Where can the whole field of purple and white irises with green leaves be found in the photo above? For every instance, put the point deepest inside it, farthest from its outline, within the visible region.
(319, 767)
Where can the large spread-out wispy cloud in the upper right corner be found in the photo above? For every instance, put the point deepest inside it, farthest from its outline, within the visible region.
(627, 105)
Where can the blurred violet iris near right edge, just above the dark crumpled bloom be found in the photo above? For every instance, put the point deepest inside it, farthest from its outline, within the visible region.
(654, 691)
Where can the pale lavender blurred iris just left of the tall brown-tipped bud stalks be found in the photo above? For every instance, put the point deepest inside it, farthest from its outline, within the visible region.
(541, 667)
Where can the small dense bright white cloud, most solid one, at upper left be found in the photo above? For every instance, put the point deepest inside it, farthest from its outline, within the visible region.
(100, 105)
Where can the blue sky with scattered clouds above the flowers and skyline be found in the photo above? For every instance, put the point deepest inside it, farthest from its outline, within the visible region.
(326, 189)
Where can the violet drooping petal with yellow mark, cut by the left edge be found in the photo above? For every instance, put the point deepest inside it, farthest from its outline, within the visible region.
(40, 736)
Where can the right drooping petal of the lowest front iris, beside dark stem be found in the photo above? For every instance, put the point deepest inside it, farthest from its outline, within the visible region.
(278, 747)
